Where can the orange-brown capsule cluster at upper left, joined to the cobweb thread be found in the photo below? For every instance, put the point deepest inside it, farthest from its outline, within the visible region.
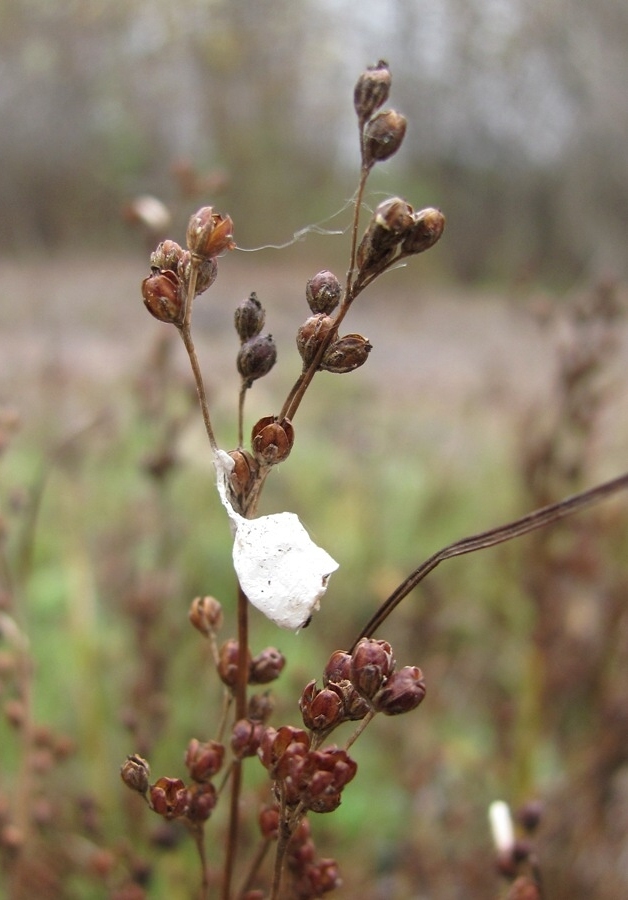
(165, 291)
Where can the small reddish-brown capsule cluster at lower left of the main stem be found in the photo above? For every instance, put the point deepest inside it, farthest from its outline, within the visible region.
(172, 798)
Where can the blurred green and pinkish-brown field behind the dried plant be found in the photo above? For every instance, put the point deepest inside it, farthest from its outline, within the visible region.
(423, 445)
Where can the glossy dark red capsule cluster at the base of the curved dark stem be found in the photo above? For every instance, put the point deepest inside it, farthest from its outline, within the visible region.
(354, 684)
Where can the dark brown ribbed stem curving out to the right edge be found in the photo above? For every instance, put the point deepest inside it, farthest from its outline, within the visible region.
(546, 515)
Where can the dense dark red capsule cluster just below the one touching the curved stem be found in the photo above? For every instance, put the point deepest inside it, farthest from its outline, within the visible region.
(305, 777)
